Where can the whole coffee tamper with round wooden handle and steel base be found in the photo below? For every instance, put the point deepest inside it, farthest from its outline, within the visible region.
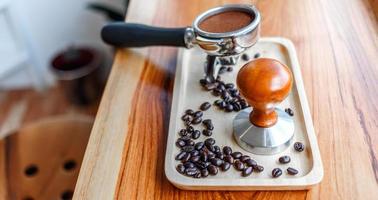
(265, 129)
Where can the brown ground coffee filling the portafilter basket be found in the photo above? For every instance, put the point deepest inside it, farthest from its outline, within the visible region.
(226, 22)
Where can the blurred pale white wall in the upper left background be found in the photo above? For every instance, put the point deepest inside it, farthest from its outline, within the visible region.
(48, 26)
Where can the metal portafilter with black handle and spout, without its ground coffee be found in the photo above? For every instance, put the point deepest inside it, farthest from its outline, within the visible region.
(224, 46)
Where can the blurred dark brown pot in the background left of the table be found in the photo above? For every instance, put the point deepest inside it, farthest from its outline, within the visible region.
(78, 70)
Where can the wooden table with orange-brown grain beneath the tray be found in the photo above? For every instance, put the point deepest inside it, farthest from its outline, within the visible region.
(337, 47)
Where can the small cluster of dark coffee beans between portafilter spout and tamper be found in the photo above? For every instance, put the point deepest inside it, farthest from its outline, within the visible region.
(230, 99)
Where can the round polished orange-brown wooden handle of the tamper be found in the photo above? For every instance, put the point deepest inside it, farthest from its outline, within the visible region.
(264, 83)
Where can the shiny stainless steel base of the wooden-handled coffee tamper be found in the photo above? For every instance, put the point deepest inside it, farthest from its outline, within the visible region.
(263, 141)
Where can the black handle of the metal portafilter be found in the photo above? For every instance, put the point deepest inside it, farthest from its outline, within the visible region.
(122, 34)
